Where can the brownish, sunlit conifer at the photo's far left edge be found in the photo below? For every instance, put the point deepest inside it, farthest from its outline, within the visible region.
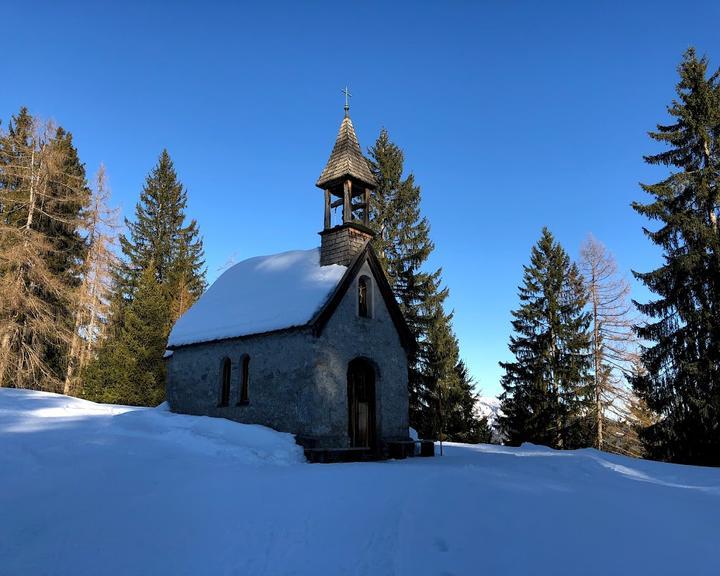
(42, 197)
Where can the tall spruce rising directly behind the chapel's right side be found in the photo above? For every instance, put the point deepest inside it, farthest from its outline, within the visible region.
(403, 245)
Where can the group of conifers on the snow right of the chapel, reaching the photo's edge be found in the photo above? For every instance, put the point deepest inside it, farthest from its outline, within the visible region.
(586, 372)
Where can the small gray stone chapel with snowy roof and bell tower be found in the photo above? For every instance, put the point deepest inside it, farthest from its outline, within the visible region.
(310, 342)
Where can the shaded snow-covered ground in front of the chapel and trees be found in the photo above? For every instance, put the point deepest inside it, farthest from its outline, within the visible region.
(93, 489)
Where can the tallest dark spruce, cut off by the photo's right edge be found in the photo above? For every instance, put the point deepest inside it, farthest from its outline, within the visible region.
(682, 378)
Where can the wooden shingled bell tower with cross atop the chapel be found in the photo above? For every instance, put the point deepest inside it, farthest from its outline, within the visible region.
(347, 182)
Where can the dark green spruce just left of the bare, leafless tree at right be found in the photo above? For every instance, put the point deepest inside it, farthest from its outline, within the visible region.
(547, 392)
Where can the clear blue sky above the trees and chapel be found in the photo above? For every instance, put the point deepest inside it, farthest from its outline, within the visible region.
(512, 115)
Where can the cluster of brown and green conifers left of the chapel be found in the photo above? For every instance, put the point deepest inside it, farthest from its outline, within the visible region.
(85, 310)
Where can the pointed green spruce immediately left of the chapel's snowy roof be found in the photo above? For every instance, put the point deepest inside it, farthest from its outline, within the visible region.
(160, 240)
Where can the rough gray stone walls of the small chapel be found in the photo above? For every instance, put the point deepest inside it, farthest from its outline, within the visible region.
(298, 381)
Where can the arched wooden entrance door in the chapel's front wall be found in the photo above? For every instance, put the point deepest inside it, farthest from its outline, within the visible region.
(361, 404)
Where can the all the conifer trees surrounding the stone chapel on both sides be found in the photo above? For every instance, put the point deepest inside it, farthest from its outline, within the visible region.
(87, 311)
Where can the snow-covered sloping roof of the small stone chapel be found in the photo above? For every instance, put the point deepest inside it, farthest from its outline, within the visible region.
(259, 295)
